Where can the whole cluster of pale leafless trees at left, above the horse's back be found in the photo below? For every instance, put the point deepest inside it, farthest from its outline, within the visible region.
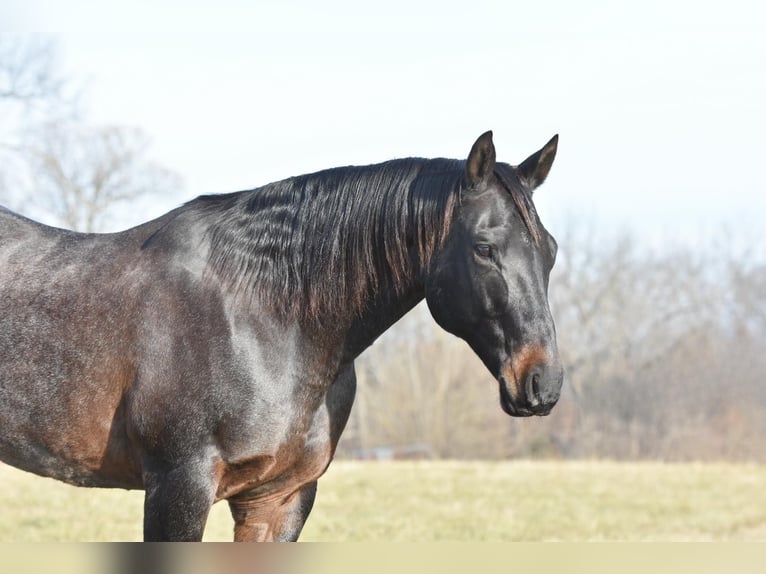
(54, 166)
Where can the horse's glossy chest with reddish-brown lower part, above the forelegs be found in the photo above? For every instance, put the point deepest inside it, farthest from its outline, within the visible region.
(286, 435)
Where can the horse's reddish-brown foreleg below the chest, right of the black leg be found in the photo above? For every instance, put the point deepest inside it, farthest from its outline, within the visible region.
(259, 519)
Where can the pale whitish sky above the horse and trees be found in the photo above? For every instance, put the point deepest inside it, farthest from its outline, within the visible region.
(659, 104)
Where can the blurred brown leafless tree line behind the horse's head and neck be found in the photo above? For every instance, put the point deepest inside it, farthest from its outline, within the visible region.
(664, 351)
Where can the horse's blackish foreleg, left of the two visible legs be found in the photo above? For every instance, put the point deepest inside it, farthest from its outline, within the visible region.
(177, 502)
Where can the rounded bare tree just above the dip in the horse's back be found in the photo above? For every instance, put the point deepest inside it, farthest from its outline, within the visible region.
(80, 175)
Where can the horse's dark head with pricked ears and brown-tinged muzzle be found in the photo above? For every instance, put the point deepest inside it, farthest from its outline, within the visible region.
(489, 283)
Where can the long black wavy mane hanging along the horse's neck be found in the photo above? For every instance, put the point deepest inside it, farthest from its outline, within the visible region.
(314, 246)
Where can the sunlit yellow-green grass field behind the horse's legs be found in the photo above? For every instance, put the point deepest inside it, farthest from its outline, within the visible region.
(437, 501)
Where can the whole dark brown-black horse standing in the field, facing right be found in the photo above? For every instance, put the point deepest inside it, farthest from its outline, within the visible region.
(209, 354)
